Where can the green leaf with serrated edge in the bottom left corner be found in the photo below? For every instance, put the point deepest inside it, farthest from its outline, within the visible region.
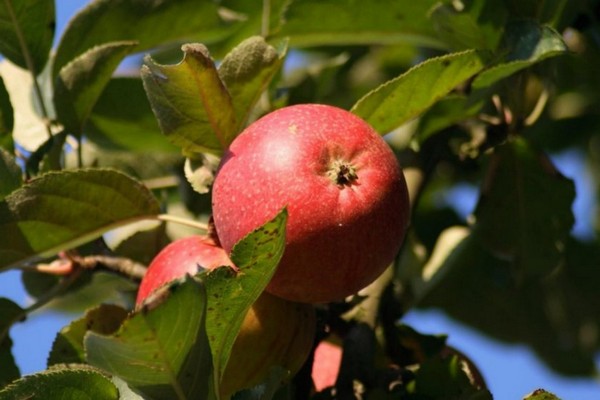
(73, 382)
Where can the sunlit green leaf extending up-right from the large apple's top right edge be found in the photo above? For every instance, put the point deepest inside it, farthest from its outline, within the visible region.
(403, 98)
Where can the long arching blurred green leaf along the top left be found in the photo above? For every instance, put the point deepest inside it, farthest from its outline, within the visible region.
(149, 22)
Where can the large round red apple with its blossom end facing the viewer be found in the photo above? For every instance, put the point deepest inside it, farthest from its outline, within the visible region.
(343, 188)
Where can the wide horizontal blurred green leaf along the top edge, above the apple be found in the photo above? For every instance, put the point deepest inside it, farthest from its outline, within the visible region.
(335, 22)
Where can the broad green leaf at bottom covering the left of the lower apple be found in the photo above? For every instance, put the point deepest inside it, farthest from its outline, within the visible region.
(163, 352)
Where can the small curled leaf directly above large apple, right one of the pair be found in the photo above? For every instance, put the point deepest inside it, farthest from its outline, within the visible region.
(246, 72)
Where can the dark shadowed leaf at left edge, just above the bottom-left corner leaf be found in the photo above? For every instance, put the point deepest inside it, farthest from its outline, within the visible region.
(10, 313)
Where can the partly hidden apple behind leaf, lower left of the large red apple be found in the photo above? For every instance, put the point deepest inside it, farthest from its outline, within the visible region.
(275, 332)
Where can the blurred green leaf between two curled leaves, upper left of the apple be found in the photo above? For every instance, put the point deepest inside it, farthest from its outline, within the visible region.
(122, 119)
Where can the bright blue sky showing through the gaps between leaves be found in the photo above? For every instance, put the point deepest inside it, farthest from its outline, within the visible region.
(511, 370)
